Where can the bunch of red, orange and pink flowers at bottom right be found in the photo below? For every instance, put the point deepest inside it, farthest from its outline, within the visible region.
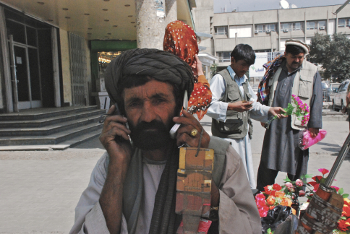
(278, 202)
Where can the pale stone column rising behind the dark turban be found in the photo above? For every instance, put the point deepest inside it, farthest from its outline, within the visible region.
(150, 27)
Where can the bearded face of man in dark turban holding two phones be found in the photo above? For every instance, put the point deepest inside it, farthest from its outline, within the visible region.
(149, 109)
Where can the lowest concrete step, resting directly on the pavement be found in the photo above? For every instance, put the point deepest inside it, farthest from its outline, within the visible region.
(61, 146)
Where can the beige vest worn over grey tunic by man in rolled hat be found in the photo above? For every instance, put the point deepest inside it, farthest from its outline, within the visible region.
(302, 87)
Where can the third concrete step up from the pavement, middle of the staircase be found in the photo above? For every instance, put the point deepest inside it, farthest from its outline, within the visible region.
(48, 130)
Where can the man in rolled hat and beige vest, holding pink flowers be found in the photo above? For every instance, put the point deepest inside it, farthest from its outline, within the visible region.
(289, 74)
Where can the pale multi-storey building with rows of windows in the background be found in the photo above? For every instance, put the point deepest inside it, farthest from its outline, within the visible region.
(266, 31)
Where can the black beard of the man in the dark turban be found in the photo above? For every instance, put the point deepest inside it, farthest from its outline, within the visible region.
(150, 136)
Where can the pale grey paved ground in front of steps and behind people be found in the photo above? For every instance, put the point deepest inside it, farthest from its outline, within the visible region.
(39, 189)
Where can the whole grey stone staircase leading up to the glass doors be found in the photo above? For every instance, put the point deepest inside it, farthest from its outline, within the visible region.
(49, 128)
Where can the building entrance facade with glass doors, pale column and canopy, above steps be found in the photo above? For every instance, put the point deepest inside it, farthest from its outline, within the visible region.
(53, 52)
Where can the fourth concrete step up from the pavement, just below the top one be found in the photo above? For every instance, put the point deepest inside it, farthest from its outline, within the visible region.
(49, 121)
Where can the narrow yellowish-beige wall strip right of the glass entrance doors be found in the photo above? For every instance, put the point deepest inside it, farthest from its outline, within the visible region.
(67, 91)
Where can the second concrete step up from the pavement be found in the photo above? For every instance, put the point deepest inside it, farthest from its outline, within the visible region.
(52, 139)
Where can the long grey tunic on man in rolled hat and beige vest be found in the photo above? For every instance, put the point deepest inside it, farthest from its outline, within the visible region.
(280, 148)
